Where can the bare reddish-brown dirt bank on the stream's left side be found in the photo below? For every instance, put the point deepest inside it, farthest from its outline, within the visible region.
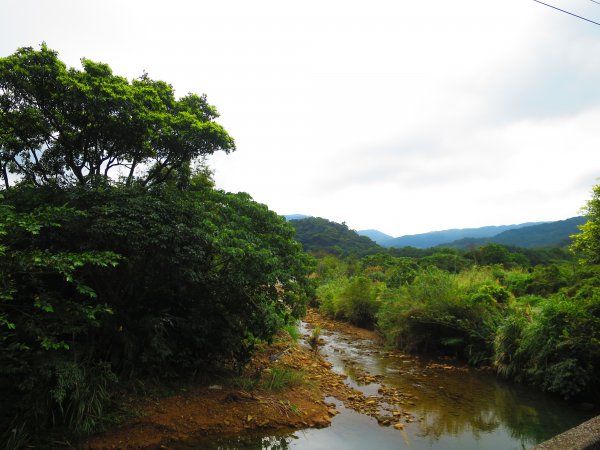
(224, 409)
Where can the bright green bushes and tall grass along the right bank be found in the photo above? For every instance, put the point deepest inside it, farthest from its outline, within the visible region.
(531, 315)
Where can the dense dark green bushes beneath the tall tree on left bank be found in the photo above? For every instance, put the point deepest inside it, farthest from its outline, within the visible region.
(133, 282)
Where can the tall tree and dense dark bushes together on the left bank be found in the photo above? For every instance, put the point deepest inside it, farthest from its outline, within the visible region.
(120, 261)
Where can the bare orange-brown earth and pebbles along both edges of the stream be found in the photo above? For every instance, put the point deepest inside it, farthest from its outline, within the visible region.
(226, 410)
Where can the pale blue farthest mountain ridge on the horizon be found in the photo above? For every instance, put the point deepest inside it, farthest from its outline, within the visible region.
(437, 238)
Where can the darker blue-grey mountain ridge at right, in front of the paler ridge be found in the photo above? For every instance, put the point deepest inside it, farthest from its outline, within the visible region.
(551, 234)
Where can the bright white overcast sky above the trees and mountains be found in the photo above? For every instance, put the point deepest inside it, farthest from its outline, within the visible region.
(404, 116)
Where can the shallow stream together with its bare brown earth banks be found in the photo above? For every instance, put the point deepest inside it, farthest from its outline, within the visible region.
(420, 400)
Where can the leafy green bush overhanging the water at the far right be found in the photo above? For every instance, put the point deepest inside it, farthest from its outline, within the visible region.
(555, 345)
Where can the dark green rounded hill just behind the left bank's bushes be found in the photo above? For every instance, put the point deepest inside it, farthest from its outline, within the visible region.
(318, 235)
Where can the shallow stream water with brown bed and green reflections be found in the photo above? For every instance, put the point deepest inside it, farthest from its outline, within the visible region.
(456, 408)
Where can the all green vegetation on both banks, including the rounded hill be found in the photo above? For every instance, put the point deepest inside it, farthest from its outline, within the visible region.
(121, 263)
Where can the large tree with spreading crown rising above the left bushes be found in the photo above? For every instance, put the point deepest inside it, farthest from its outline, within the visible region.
(66, 126)
